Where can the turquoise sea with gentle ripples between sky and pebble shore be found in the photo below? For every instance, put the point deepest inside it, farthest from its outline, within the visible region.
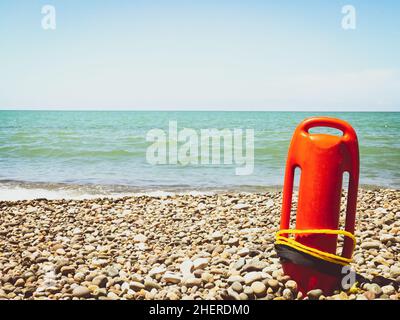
(109, 149)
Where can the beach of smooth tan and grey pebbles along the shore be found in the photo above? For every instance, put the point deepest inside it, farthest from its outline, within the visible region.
(218, 246)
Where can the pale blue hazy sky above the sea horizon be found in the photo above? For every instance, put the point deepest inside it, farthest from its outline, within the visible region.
(200, 55)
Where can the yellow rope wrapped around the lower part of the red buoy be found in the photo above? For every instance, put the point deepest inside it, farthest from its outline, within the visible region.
(312, 251)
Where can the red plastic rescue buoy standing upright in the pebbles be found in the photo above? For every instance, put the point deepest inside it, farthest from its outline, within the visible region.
(323, 159)
